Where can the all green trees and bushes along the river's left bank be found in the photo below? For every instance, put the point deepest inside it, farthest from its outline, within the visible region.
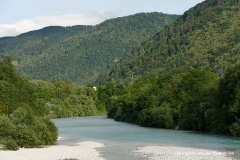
(27, 105)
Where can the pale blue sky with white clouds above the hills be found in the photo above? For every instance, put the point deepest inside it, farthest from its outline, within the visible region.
(19, 16)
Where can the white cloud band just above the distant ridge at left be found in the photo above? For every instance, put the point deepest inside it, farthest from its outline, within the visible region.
(69, 19)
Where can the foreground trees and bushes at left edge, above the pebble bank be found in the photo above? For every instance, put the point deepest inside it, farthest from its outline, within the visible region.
(20, 121)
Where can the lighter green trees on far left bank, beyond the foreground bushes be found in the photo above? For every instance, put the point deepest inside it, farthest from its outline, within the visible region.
(64, 99)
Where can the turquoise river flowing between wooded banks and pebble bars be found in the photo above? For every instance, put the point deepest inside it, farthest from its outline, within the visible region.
(122, 138)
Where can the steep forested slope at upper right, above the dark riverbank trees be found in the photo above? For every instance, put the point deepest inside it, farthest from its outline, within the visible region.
(206, 37)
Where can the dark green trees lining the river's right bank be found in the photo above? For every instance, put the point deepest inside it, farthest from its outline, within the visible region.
(194, 100)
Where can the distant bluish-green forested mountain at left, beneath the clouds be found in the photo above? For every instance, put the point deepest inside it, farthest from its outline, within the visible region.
(80, 53)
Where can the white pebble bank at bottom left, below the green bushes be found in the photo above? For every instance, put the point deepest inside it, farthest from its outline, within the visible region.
(82, 151)
